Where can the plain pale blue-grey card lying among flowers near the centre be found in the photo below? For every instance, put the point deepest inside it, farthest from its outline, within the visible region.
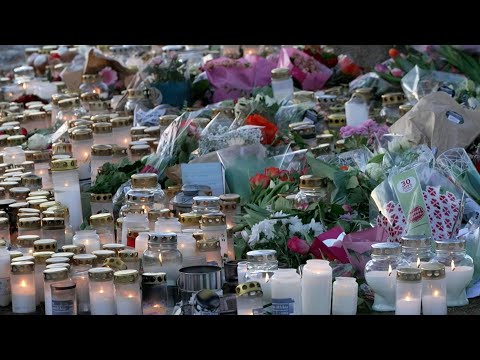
(210, 174)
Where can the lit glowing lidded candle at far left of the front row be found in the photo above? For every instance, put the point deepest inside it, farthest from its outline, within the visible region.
(22, 281)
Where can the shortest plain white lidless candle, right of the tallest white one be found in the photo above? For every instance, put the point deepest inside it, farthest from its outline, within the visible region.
(345, 296)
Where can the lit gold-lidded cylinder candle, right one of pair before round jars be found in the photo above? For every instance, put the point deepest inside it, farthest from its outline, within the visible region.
(434, 289)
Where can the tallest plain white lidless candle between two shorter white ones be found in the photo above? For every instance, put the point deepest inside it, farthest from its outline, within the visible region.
(316, 288)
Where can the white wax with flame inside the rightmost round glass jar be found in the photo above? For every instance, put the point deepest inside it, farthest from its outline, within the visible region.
(458, 278)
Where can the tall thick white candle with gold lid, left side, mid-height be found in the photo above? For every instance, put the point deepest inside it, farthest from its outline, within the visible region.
(67, 189)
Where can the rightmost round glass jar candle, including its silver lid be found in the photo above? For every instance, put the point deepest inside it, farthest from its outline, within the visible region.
(458, 269)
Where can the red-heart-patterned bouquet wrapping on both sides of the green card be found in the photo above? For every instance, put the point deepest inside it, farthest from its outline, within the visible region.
(442, 209)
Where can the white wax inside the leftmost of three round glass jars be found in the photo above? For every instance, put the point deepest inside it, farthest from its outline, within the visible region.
(383, 283)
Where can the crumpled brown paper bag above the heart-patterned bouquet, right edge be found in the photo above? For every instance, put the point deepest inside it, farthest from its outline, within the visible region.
(440, 122)
